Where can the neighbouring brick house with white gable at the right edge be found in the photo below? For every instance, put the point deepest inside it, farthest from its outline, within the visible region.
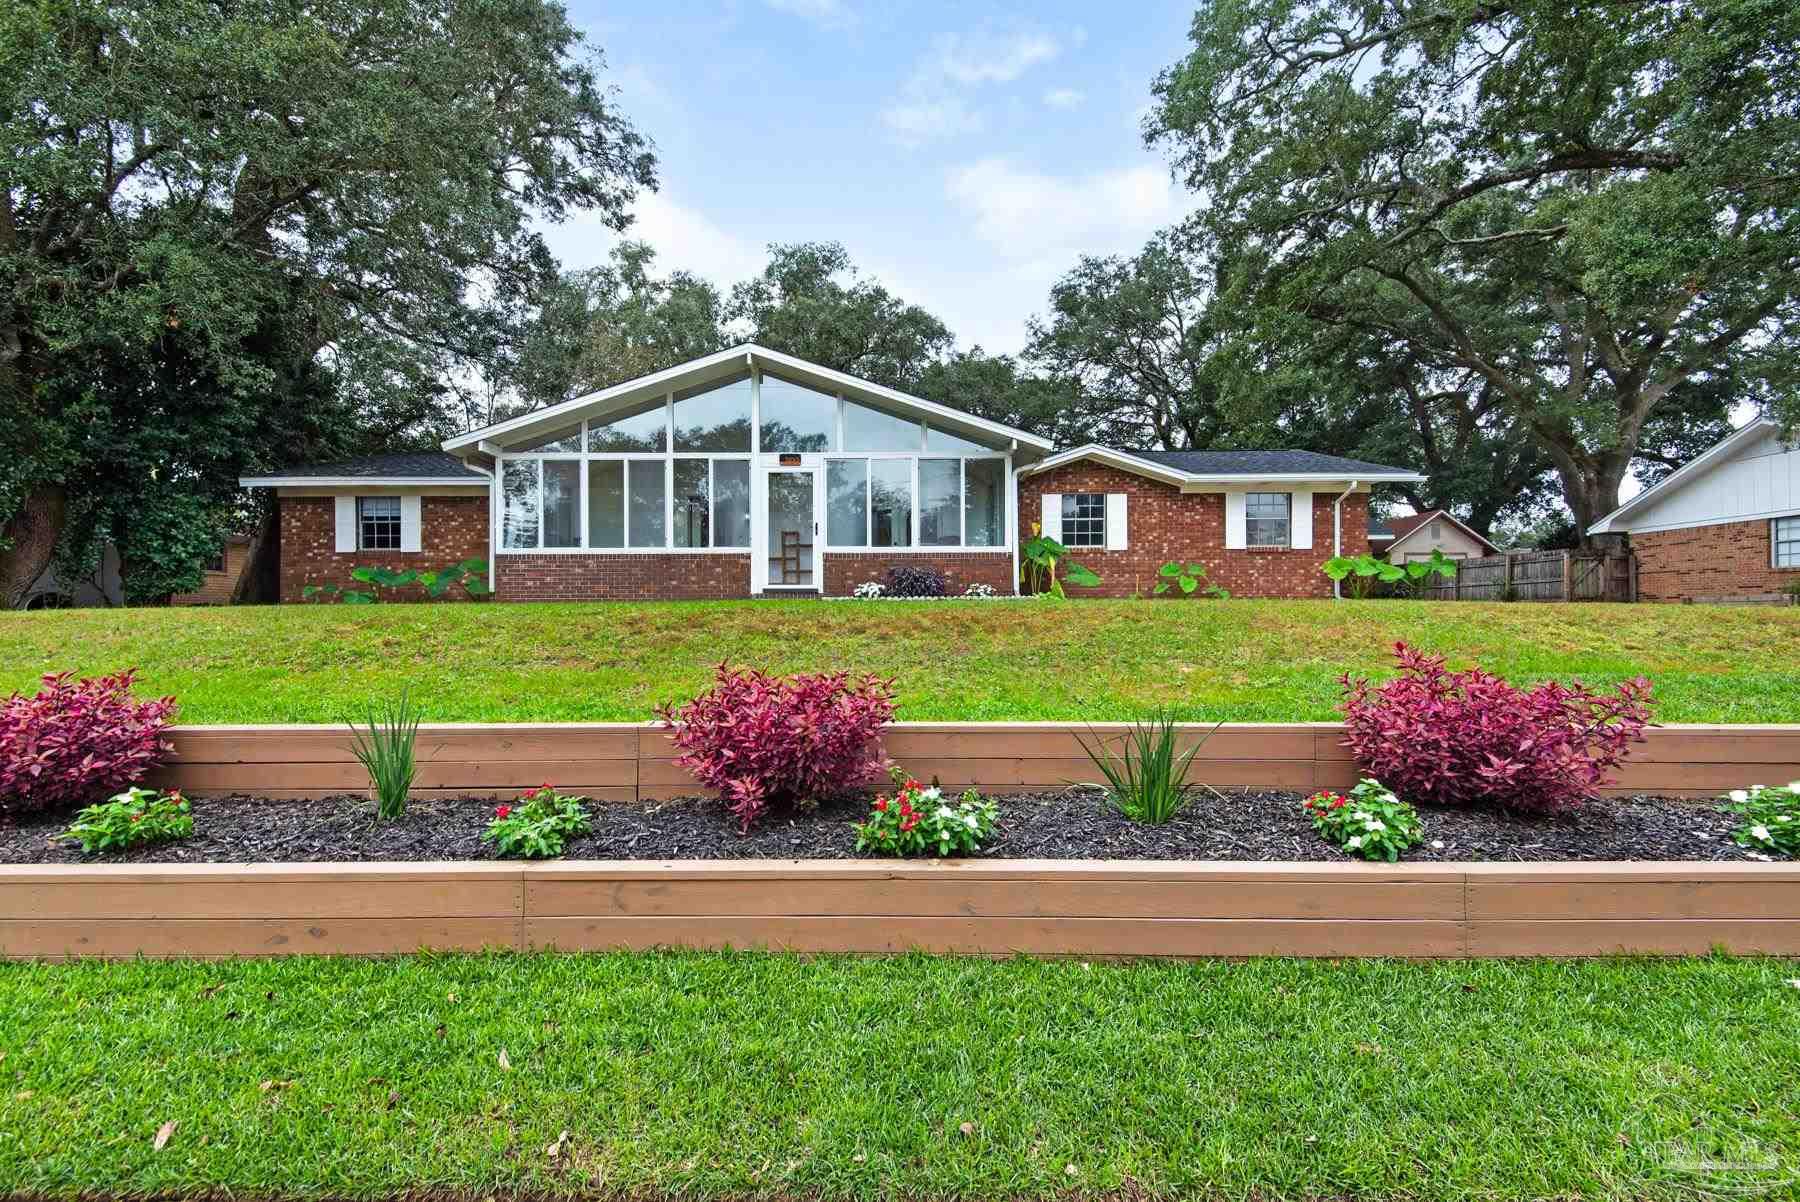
(1723, 528)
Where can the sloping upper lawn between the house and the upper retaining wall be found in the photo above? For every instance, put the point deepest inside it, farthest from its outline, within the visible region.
(1255, 661)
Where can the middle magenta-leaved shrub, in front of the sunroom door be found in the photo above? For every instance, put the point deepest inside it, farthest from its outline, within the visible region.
(780, 740)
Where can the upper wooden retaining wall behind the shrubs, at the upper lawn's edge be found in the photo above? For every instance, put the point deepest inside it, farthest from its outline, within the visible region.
(625, 762)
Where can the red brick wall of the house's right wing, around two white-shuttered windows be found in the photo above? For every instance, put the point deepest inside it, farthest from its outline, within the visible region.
(1167, 525)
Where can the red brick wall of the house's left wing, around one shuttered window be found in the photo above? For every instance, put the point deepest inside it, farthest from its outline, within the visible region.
(451, 530)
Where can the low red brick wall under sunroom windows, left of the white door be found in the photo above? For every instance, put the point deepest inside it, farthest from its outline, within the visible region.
(624, 577)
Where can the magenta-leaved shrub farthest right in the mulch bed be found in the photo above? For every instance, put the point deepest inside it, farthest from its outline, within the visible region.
(1468, 739)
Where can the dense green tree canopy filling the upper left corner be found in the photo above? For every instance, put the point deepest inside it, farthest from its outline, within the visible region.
(235, 235)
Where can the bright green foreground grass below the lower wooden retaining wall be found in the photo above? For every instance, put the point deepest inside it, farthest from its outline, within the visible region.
(852, 1079)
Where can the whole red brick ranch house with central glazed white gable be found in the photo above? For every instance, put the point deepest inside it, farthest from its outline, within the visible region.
(759, 474)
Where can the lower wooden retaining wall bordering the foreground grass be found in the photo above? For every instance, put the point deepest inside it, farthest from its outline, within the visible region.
(1002, 908)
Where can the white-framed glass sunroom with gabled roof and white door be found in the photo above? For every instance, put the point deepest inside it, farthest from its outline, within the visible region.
(759, 454)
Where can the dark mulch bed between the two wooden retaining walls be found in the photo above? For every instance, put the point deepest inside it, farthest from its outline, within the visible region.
(1074, 825)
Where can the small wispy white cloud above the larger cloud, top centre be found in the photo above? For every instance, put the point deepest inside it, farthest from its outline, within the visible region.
(933, 102)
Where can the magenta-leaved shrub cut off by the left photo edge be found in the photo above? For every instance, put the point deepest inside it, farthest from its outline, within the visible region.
(78, 742)
